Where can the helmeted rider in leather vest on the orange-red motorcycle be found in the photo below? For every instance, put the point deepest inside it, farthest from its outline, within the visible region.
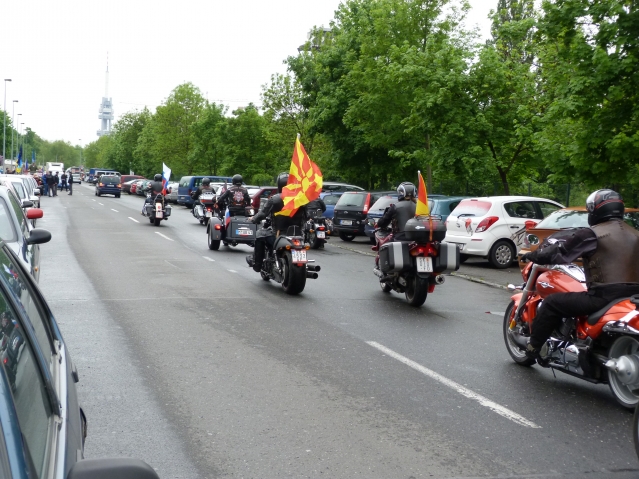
(610, 253)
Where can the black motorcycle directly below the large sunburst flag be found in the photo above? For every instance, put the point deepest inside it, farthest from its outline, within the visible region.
(287, 263)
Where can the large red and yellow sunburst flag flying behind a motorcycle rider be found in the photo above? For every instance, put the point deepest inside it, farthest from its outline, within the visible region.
(304, 182)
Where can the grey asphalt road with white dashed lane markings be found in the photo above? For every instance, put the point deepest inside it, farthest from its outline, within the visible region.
(188, 360)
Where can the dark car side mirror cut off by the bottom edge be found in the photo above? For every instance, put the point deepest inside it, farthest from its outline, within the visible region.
(122, 468)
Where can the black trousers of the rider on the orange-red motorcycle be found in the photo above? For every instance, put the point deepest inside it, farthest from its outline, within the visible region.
(562, 305)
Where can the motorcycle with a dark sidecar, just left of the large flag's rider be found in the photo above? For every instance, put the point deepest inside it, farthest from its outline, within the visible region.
(230, 230)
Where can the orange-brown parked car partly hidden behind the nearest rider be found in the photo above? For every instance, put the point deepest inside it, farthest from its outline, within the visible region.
(566, 218)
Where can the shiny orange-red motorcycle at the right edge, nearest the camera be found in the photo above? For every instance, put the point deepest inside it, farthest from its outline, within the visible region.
(602, 348)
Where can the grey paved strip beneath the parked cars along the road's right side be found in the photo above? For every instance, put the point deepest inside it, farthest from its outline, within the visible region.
(474, 269)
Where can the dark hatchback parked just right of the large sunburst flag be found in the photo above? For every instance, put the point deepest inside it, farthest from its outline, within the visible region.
(349, 215)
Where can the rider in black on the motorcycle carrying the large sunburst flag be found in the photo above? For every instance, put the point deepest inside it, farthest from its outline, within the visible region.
(265, 237)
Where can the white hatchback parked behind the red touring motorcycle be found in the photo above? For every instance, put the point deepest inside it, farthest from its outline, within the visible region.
(486, 226)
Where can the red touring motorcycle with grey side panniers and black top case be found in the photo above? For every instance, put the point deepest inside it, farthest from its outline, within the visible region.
(414, 267)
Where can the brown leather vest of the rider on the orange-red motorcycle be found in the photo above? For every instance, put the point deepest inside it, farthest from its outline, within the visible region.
(616, 259)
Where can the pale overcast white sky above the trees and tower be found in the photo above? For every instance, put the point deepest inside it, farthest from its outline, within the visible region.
(55, 52)
